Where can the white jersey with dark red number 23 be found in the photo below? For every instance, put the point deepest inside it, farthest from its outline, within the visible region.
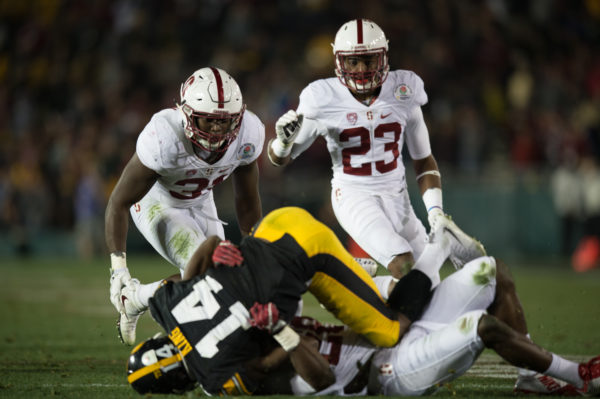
(365, 142)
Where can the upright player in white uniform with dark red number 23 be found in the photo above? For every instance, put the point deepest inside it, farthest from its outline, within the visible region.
(366, 115)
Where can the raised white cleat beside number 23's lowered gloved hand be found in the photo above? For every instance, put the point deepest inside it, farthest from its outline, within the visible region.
(463, 247)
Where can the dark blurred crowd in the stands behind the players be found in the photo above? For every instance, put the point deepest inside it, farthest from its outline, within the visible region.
(513, 86)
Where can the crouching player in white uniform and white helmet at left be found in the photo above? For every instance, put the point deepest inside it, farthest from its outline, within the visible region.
(181, 154)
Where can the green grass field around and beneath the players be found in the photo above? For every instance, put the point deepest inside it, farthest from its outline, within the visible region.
(58, 337)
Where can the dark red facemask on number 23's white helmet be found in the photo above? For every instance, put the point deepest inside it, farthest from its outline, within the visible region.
(362, 81)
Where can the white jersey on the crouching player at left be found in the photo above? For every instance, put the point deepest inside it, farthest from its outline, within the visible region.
(185, 179)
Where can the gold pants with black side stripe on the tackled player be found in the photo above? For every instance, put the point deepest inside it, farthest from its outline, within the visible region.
(340, 283)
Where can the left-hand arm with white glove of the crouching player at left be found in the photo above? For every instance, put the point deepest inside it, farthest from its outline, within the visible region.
(134, 183)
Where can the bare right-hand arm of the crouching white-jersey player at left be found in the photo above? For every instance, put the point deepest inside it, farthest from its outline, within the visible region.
(248, 206)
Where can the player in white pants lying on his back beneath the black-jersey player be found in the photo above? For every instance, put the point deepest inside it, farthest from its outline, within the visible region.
(474, 308)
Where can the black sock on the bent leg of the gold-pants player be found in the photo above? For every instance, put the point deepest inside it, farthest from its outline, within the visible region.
(411, 294)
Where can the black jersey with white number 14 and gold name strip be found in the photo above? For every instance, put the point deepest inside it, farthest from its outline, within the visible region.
(207, 317)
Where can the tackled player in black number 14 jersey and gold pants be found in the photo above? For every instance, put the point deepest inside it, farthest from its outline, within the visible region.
(289, 252)
